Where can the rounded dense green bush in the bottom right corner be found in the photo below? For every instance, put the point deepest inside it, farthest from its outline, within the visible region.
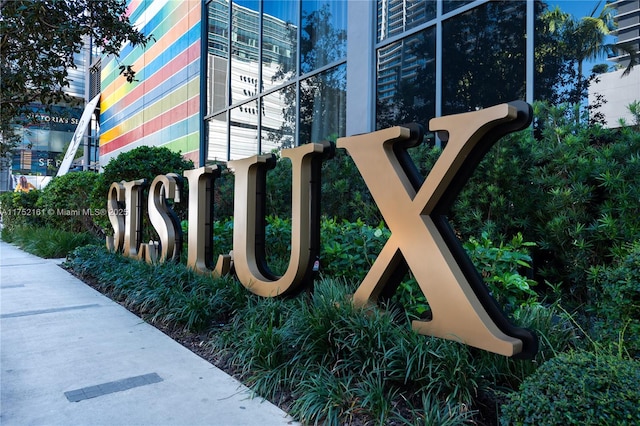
(578, 388)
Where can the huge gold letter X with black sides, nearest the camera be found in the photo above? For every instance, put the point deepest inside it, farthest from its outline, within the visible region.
(461, 306)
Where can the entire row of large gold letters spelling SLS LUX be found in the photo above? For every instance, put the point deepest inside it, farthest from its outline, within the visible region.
(414, 210)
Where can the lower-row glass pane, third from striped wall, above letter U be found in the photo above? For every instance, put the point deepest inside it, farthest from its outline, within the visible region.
(278, 119)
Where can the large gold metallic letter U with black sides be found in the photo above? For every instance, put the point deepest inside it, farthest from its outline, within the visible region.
(248, 250)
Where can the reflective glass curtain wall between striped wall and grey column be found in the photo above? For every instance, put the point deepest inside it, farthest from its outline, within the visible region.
(275, 75)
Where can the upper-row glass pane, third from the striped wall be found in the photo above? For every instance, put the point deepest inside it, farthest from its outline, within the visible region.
(279, 42)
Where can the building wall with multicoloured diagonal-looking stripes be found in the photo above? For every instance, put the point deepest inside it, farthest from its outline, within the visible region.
(161, 108)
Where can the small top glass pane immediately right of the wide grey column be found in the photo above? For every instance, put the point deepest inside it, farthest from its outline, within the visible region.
(397, 16)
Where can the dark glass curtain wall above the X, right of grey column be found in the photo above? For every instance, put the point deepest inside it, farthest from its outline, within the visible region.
(438, 58)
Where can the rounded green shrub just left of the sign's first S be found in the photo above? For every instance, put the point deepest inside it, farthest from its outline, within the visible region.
(67, 201)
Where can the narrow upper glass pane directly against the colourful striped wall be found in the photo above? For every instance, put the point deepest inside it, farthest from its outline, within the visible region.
(218, 55)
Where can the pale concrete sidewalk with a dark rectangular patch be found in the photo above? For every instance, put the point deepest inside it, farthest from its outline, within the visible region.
(70, 356)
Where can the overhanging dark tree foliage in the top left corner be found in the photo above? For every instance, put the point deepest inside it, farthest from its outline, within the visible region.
(39, 41)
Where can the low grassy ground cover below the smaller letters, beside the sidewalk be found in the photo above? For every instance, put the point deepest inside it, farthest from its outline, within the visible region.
(168, 293)
